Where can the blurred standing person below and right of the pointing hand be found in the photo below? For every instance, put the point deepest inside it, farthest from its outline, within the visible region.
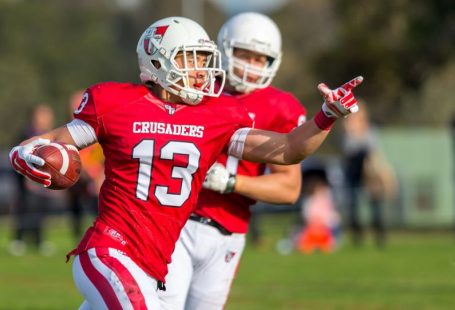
(367, 172)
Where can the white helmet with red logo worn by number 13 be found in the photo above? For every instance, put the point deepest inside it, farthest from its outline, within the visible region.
(158, 47)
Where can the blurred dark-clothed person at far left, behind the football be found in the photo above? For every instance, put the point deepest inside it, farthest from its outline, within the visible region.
(32, 200)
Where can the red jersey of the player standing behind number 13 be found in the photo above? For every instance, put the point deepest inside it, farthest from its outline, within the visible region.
(271, 109)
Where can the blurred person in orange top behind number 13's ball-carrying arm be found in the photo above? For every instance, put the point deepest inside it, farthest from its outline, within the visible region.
(83, 196)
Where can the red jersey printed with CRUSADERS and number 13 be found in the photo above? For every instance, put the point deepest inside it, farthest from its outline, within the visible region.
(156, 157)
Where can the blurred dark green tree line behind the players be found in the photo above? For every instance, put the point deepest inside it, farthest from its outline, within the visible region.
(403, 48)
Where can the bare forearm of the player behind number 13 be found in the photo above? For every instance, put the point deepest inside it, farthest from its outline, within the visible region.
(271, 188)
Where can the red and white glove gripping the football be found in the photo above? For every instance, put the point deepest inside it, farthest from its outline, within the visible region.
(24, 162)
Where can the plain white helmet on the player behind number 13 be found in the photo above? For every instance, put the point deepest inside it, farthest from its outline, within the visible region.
(255, 32)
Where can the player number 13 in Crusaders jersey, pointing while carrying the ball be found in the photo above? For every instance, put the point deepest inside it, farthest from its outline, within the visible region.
(159, 139)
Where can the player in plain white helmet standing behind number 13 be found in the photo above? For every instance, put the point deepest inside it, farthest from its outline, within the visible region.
(210, 245)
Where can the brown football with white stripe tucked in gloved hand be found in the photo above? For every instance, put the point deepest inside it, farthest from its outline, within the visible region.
(63, 163)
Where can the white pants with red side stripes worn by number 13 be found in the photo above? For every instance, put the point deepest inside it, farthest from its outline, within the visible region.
(108, 279)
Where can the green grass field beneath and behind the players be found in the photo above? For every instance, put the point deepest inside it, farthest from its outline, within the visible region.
(414, 271)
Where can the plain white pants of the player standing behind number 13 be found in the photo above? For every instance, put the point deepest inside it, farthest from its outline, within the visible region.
(204, 264)
